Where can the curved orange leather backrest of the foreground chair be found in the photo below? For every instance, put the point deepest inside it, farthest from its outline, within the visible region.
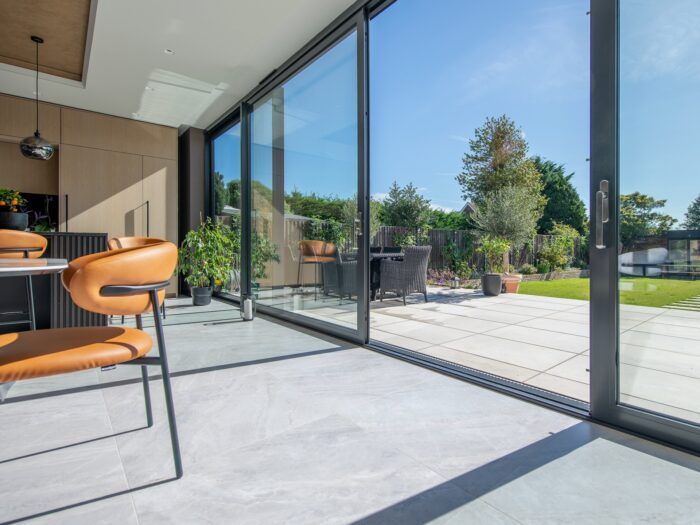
(86, 276)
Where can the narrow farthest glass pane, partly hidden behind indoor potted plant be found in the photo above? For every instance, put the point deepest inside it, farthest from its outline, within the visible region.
(227, 195)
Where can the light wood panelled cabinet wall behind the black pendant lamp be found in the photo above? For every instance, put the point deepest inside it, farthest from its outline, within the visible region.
(112, 175)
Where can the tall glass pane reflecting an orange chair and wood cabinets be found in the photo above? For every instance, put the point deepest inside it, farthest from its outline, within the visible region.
(304, 167)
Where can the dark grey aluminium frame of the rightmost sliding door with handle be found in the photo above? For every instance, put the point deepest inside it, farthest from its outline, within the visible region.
(605, 165)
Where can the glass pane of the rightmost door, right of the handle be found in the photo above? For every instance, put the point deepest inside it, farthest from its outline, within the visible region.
(660, 209)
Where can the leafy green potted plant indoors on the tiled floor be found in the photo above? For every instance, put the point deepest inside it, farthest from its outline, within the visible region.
(205, 257)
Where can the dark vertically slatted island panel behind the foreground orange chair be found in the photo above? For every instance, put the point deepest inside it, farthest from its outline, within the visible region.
(65, 313)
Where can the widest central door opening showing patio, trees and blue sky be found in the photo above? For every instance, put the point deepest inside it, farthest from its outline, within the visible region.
(483, 107)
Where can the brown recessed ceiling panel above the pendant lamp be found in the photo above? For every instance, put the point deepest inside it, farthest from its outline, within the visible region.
(63, 27)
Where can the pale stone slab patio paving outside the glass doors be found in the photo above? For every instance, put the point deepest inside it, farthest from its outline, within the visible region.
(544, 342)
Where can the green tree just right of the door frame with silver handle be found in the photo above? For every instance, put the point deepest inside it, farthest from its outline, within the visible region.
(638, 218)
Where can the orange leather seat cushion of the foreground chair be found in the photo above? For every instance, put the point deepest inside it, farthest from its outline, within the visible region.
(40, 353)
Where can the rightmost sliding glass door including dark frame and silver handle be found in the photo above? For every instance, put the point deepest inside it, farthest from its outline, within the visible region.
(646, 198)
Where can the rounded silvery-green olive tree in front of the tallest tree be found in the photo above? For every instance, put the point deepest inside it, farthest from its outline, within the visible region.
(510, 213)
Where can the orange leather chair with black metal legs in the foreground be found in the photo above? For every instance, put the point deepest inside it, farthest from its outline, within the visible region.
(128, 281)
